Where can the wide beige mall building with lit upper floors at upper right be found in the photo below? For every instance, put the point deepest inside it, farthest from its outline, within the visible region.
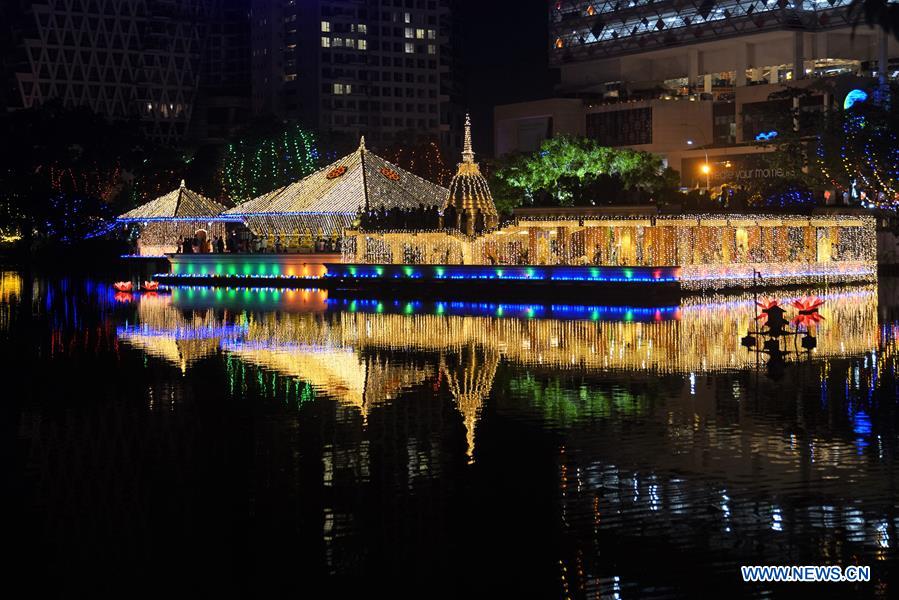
(691, 80)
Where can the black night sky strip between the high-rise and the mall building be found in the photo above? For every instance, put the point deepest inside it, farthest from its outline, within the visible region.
(505, 53)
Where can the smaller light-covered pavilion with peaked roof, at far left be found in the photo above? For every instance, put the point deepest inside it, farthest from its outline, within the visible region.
(163, 222)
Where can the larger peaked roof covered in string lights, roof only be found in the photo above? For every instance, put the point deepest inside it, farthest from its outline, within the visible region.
(358, 180)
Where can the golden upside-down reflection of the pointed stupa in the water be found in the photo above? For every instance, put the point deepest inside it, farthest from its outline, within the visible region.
(470, 378)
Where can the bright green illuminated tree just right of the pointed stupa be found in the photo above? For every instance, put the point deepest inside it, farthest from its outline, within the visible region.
(569, 171)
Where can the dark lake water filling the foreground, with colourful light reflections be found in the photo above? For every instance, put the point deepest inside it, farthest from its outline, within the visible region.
(252, 442)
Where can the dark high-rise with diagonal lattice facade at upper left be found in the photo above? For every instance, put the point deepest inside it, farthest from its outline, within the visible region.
(127, 59)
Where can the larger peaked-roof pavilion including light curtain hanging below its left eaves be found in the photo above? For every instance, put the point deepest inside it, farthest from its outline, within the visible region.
(329, 200)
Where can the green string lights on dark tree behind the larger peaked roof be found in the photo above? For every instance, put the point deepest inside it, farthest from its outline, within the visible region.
(251, 167)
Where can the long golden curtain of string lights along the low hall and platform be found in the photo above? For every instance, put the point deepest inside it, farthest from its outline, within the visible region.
(712, 251)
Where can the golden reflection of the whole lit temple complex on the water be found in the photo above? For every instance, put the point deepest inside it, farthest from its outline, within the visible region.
(352, 356)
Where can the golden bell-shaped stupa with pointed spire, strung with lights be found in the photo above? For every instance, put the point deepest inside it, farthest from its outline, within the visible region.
(469, 193)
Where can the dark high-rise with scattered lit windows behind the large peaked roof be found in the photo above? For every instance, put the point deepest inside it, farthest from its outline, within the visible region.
(382, 68)
